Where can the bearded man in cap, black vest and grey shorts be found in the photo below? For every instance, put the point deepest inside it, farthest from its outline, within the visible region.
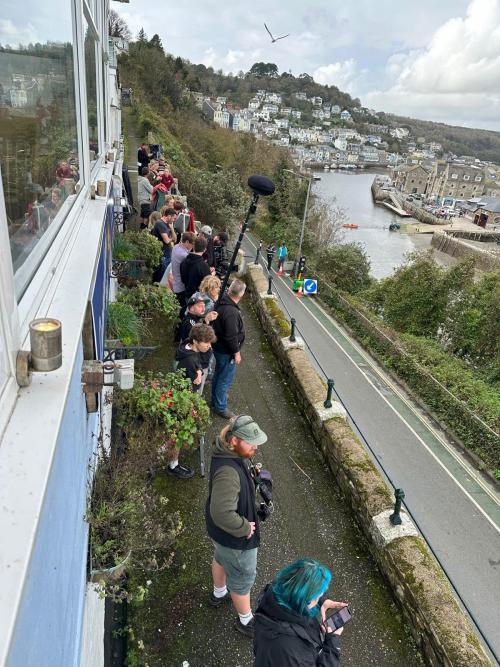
(231, 518)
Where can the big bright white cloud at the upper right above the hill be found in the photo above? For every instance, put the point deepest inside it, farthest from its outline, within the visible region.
(455, 78)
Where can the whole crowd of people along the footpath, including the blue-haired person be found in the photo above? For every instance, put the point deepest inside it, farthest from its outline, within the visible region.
(289, 626)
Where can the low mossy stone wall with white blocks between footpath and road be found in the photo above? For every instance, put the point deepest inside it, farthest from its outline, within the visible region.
(437, 623)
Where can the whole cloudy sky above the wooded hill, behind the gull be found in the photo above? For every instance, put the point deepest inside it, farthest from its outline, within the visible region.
(432, 59)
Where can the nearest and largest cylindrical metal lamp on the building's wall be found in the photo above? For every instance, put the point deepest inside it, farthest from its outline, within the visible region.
(46, 350)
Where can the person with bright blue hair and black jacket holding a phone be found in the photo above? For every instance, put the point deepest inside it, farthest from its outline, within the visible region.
(288, 632)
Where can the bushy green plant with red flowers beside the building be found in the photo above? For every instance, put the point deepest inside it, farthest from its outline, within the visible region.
(160, 415)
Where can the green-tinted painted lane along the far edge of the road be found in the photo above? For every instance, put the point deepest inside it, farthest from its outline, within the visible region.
(487, 499)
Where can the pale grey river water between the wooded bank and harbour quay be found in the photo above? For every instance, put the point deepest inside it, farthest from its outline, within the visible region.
(352, 191)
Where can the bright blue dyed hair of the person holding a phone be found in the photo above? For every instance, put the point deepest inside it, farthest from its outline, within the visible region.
(298, 584)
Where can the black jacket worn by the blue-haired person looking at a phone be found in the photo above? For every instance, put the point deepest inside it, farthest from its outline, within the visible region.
(284, 638)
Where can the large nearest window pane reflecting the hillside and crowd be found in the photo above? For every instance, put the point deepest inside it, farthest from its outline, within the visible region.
(38, 132)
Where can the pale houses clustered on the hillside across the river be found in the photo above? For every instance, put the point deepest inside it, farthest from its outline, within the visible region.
(335, 139)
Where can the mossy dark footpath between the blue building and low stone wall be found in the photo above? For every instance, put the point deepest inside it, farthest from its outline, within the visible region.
(176, 623)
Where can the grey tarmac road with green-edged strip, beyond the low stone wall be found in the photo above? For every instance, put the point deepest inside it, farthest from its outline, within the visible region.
(456, 510)
